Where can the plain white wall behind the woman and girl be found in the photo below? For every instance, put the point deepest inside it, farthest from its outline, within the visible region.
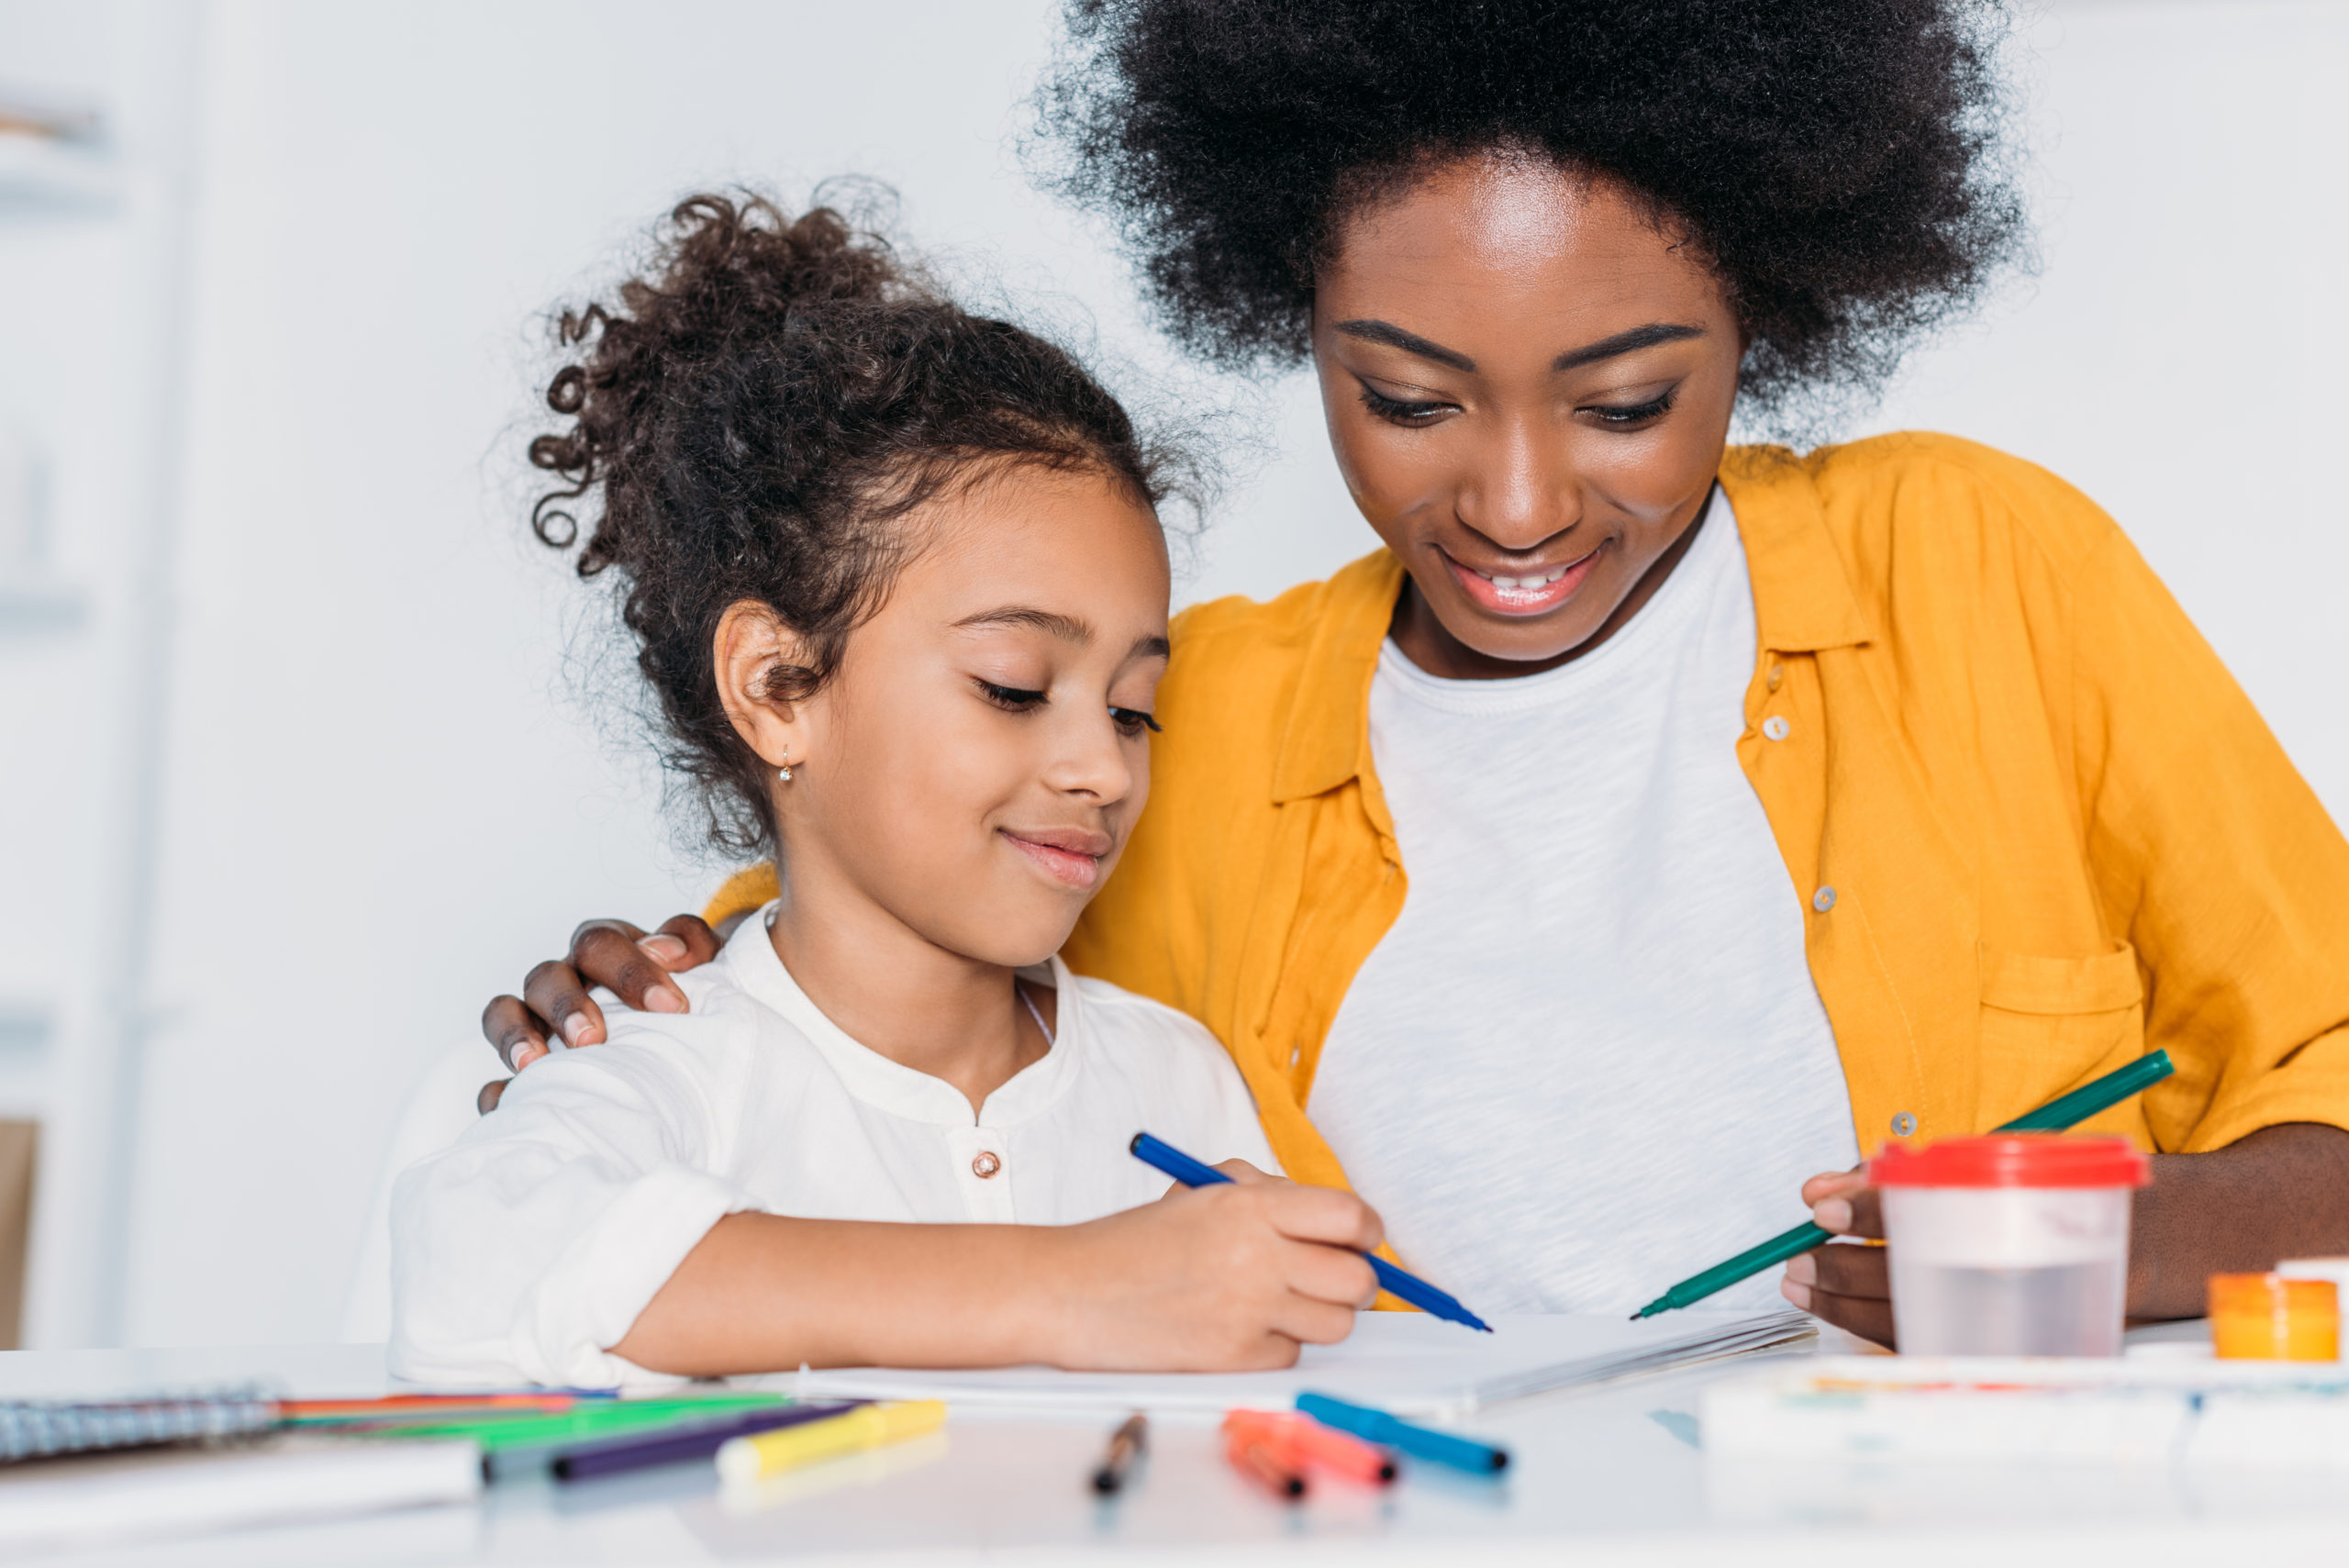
(379, 809)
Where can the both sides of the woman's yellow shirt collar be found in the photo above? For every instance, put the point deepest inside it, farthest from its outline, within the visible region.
(1803, 604)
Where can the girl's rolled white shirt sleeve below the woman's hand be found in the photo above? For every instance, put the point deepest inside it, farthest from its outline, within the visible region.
(537, 1241)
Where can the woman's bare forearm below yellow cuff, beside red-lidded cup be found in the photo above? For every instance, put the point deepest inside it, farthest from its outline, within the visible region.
(2277, 1194)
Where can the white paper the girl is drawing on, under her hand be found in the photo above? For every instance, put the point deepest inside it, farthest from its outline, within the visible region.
(1404, 1363)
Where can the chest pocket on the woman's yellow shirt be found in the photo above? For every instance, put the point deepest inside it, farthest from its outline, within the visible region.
(2050, 1025)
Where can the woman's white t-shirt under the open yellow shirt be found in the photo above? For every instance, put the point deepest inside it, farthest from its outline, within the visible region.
(1589, 1057)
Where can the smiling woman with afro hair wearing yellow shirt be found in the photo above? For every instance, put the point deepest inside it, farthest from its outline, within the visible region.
(1653, 823)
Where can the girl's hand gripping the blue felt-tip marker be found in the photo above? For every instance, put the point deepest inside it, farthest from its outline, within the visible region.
(1223, 1278)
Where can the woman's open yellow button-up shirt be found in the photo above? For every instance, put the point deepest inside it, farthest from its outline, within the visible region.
(2054, 827)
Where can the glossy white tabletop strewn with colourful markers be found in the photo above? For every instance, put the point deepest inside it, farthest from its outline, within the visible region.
(1598, 1478)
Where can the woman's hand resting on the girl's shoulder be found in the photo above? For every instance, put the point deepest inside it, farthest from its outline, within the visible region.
(614, 954)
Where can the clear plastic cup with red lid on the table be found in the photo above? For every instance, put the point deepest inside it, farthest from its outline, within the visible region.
(2010, 1245)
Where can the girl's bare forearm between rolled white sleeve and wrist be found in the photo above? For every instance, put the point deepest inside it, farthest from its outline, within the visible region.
(767, 1292)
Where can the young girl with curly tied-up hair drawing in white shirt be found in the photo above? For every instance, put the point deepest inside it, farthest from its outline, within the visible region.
(901, 593)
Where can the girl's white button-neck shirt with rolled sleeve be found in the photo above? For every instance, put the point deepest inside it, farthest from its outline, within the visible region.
(539, 1238)
